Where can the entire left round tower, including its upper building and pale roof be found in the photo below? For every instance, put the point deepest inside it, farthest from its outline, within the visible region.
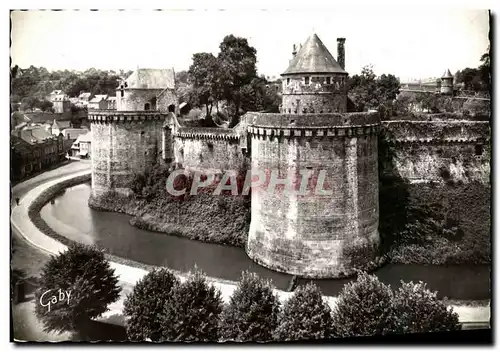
(128, 140)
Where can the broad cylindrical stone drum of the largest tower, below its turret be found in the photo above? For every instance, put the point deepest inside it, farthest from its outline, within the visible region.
(315, 235)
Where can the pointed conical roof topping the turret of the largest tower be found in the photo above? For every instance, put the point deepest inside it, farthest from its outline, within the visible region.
(313, 57)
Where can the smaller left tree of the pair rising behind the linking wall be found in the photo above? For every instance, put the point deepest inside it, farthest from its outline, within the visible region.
(203, 74)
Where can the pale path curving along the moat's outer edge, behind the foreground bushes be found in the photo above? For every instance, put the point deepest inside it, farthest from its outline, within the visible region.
(129, 274)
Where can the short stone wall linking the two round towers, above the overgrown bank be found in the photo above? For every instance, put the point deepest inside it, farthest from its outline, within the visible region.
(209, 150)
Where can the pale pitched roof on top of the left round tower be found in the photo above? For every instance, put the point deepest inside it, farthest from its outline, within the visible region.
(148, 78)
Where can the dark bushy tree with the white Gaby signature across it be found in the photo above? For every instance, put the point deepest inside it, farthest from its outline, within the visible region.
(75, 286)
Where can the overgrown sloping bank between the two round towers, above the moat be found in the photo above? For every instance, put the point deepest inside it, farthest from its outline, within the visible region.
(222, 220)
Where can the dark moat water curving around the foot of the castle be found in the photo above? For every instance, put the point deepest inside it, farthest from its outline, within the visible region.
(70, 216)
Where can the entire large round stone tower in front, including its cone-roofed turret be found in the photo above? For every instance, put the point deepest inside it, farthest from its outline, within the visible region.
(330, 226)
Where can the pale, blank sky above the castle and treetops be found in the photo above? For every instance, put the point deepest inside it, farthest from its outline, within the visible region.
(409, 41)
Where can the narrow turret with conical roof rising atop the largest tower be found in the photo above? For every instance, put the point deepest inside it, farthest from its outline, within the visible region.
(314, 81)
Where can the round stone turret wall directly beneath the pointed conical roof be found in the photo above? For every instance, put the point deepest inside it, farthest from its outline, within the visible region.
(315, 97)
